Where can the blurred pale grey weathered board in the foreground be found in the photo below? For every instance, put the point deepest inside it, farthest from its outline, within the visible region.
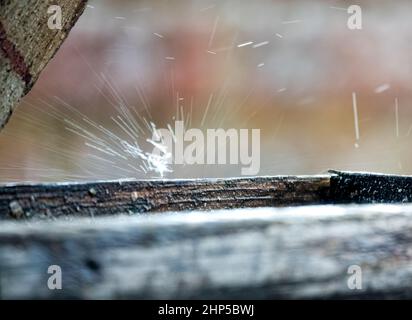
(299, 252)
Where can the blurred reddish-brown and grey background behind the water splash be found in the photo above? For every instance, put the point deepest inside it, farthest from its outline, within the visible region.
(287, 67)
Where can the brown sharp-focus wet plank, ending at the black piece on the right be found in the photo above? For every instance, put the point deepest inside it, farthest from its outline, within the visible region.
(25, 201)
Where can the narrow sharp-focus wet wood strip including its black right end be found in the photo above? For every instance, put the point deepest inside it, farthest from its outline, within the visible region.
(91, 199)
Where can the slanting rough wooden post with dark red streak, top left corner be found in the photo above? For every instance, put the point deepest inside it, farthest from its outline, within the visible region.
(27, 45)
